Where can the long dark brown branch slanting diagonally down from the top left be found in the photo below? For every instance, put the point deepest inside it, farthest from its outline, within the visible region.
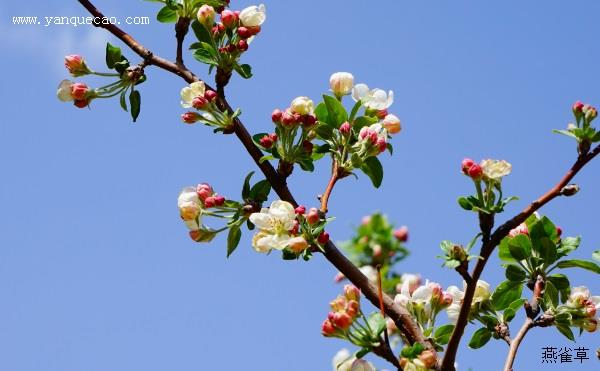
(398, 314)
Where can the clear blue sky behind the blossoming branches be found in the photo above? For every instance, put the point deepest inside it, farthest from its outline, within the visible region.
(97, 271)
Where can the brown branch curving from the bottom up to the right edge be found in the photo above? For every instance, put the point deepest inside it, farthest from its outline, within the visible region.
(490, 244)
